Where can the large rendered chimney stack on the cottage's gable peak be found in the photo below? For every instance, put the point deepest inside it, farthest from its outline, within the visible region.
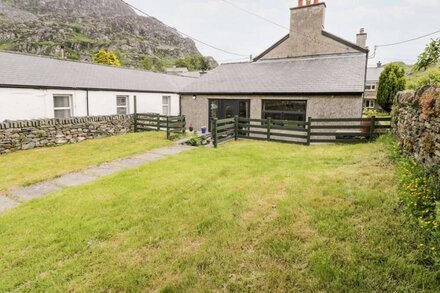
(307, 18)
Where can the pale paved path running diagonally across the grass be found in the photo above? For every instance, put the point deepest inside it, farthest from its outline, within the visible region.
(18, 196)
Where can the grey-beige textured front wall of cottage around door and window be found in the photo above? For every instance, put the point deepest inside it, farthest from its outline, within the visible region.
(318, 106)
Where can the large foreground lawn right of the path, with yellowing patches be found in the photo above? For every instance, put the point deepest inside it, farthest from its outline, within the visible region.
(249, 216)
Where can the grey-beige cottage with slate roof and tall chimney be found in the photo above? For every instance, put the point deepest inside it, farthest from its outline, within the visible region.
(308, 73)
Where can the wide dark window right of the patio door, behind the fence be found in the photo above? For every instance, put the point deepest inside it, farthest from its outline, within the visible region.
(284, 110)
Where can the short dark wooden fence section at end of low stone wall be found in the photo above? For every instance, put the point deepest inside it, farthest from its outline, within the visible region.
(173, 125)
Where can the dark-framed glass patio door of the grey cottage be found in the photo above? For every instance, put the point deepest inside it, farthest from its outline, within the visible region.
(224, 109)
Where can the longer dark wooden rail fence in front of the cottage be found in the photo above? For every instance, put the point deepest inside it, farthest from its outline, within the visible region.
(339, 130)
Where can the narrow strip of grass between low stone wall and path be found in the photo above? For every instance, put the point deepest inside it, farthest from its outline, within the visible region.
(27, 167)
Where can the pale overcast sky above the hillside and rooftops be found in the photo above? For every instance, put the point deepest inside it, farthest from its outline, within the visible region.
(222, 25)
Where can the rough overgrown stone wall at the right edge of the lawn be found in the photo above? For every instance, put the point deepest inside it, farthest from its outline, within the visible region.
(416, 124)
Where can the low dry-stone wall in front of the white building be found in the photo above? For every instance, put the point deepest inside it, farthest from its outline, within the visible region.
(25, 135)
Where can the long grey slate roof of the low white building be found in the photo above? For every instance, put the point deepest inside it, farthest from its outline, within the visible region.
(24, 70)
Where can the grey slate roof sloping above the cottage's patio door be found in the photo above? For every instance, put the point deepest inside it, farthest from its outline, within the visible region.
(342, 73)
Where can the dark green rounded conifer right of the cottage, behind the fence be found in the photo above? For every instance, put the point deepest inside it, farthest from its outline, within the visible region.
(392, 80)
